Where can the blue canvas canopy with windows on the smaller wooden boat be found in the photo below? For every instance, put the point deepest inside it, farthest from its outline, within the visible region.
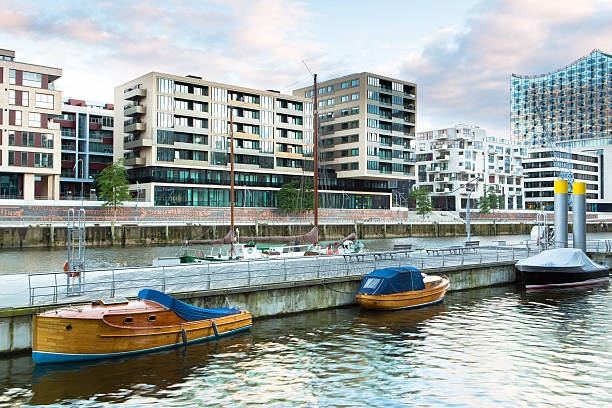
(392, 280)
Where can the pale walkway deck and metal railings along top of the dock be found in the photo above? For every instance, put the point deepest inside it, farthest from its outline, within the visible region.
(48, 288)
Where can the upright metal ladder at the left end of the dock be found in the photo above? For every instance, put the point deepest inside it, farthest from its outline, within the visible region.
(75, 264)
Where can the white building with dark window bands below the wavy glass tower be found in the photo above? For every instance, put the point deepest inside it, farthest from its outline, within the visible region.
(542, 168)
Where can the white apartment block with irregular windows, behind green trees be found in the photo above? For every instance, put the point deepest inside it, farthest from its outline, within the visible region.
(447, 159)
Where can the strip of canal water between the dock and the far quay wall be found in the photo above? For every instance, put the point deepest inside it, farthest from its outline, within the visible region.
(42, 259)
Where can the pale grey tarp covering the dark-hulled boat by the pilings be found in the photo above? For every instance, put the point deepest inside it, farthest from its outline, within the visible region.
(560, 258)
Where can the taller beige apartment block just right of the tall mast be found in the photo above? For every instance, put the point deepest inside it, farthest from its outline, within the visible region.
(367, 128)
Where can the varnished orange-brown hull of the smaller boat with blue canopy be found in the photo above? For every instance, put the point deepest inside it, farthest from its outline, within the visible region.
(430, 295)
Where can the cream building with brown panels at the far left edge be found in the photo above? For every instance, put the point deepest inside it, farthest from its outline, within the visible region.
(29, 139)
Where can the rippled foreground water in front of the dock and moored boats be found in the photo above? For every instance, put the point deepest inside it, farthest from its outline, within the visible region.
(486, 347)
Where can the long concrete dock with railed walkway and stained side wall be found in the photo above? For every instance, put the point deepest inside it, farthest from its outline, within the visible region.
(264, 287)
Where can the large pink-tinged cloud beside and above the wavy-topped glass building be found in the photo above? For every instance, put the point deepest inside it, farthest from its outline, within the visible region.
(464, 76)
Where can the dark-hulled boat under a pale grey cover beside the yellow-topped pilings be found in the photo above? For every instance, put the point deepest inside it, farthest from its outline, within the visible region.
(561, 267)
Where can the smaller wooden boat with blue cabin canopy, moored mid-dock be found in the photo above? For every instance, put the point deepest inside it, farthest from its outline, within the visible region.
(401, 288)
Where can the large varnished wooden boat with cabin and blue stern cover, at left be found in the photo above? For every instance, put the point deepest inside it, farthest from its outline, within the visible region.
(118, 327)
